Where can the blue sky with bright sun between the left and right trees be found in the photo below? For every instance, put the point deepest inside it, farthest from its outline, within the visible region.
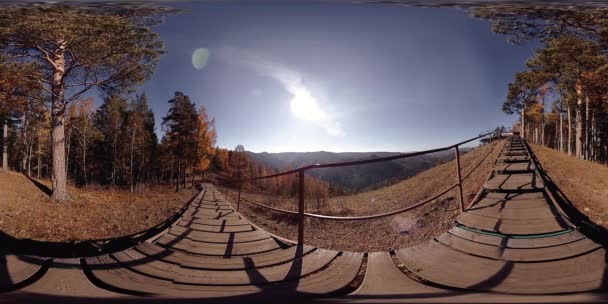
(336, 77)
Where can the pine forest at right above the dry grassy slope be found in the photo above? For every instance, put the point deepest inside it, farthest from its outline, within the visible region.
(561, 97)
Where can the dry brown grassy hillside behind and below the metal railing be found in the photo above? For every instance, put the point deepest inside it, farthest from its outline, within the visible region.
(380, 234)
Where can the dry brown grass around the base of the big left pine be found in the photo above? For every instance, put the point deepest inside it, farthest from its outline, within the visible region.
(26, 212)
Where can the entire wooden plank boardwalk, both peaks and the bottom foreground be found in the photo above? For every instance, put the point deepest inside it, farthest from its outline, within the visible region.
(512, 244)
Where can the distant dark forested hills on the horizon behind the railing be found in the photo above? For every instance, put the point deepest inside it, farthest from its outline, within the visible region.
(354, 178)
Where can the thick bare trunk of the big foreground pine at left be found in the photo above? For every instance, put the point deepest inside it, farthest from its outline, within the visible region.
(59, 174)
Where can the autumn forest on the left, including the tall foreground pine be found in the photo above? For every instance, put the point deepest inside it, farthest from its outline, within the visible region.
(54, 61)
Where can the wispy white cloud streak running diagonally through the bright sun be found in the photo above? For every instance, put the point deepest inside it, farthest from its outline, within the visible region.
(305, 104)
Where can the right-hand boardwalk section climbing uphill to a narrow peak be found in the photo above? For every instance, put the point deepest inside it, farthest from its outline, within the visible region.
(513, 240)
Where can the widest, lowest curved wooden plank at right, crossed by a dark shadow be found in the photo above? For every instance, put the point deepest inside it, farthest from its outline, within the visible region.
(437, 263)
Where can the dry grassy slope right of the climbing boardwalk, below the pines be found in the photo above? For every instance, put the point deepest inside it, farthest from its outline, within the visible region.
(584, 183)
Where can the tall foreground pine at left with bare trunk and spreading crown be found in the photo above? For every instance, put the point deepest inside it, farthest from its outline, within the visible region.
(79, 48)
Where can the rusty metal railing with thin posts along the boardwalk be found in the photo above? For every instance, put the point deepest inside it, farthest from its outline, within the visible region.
(301, 185)
